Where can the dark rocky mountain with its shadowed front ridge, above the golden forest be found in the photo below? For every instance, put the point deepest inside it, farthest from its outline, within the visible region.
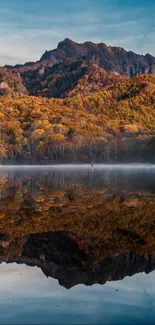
(60, 71)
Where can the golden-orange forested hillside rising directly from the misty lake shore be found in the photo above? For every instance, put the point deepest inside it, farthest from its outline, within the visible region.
(111, 125)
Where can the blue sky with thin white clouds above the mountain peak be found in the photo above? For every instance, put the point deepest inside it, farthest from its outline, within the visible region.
(29, 27)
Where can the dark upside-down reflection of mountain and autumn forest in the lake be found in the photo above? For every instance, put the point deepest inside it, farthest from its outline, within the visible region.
(79, 226)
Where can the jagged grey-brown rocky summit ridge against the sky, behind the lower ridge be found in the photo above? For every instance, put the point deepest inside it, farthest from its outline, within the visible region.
(114, 59)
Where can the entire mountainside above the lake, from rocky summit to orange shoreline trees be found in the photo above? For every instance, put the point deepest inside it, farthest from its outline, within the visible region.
(72, 106)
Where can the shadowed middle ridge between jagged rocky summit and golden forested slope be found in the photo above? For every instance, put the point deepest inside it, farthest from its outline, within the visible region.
(67, 78)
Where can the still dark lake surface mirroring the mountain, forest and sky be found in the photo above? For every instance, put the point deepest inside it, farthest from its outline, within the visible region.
(77, 245)
